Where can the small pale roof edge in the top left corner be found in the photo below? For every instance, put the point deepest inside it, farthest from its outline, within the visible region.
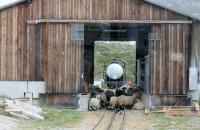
(7, 3)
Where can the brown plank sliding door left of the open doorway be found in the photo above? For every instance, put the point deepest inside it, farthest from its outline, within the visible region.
(56, 59)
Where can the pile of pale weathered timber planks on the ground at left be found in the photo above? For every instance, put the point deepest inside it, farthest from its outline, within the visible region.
(21, 110)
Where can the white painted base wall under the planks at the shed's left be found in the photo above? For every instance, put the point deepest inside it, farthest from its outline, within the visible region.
(17, 89)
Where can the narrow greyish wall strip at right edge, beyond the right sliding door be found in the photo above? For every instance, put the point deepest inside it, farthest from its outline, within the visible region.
(195, 47)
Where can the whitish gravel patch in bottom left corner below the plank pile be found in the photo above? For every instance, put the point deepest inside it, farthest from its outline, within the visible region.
(7, 123)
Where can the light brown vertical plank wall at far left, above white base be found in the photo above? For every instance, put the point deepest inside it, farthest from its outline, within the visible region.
(13, 45)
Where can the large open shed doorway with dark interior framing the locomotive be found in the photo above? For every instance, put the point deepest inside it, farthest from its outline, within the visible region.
(107, 39)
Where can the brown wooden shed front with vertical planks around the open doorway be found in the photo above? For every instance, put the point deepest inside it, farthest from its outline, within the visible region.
(36, 44)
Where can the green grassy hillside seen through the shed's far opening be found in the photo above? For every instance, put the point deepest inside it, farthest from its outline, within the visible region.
(105, 51)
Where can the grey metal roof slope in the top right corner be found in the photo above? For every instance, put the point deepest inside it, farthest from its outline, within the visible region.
(189, 8)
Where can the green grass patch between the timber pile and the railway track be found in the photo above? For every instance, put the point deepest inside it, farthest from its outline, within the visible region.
(53, 118)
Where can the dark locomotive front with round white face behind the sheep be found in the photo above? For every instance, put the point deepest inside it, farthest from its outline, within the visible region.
(114, 73)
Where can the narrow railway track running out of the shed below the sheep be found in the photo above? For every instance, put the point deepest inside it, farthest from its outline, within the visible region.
(107, 125)
